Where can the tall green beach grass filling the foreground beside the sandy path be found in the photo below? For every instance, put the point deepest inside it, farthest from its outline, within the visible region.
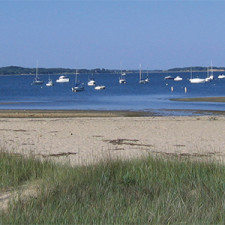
(142, 191)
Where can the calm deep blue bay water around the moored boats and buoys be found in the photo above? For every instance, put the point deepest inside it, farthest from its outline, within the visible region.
(18, 93)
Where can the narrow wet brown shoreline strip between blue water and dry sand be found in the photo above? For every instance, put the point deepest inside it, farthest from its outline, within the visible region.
(42, 113)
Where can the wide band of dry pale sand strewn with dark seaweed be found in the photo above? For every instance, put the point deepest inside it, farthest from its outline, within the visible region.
(82, 140)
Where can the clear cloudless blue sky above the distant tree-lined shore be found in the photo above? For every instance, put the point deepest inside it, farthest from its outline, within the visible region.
(110, 33)
